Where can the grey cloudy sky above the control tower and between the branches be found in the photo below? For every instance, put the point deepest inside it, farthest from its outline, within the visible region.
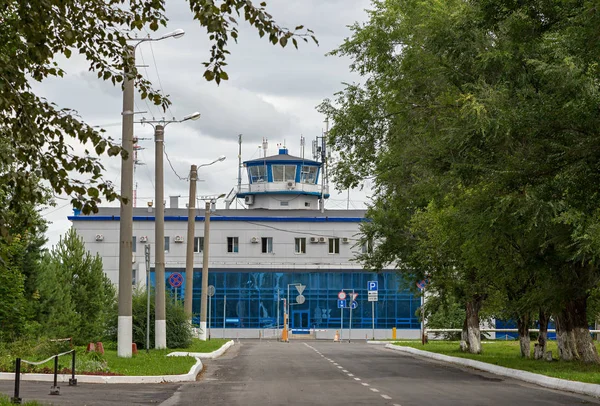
(272, 93)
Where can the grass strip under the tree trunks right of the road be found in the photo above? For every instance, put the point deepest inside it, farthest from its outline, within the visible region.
(507, 354)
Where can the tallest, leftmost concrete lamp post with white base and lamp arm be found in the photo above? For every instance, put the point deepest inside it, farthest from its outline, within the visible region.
(125, 320)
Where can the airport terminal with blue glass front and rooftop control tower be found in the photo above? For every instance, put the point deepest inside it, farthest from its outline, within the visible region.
(258, 253)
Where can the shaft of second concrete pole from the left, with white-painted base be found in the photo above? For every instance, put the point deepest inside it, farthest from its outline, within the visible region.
(160, 323)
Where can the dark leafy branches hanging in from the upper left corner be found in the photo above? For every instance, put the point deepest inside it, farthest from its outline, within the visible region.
(34, 33)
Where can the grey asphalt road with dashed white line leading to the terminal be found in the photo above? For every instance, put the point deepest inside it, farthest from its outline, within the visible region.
(314, 373)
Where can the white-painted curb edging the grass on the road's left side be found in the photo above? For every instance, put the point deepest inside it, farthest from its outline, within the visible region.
(189, 377)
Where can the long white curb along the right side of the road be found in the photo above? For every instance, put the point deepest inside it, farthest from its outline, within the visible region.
(582, 388)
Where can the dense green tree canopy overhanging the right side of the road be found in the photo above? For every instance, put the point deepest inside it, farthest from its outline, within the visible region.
(492, 99)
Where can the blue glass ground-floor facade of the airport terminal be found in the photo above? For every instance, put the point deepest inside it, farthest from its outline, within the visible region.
(250, 299)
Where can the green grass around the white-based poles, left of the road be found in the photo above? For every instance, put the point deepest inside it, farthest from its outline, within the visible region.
(156, 362)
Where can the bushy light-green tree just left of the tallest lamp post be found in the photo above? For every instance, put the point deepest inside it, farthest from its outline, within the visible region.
(76, 298)
